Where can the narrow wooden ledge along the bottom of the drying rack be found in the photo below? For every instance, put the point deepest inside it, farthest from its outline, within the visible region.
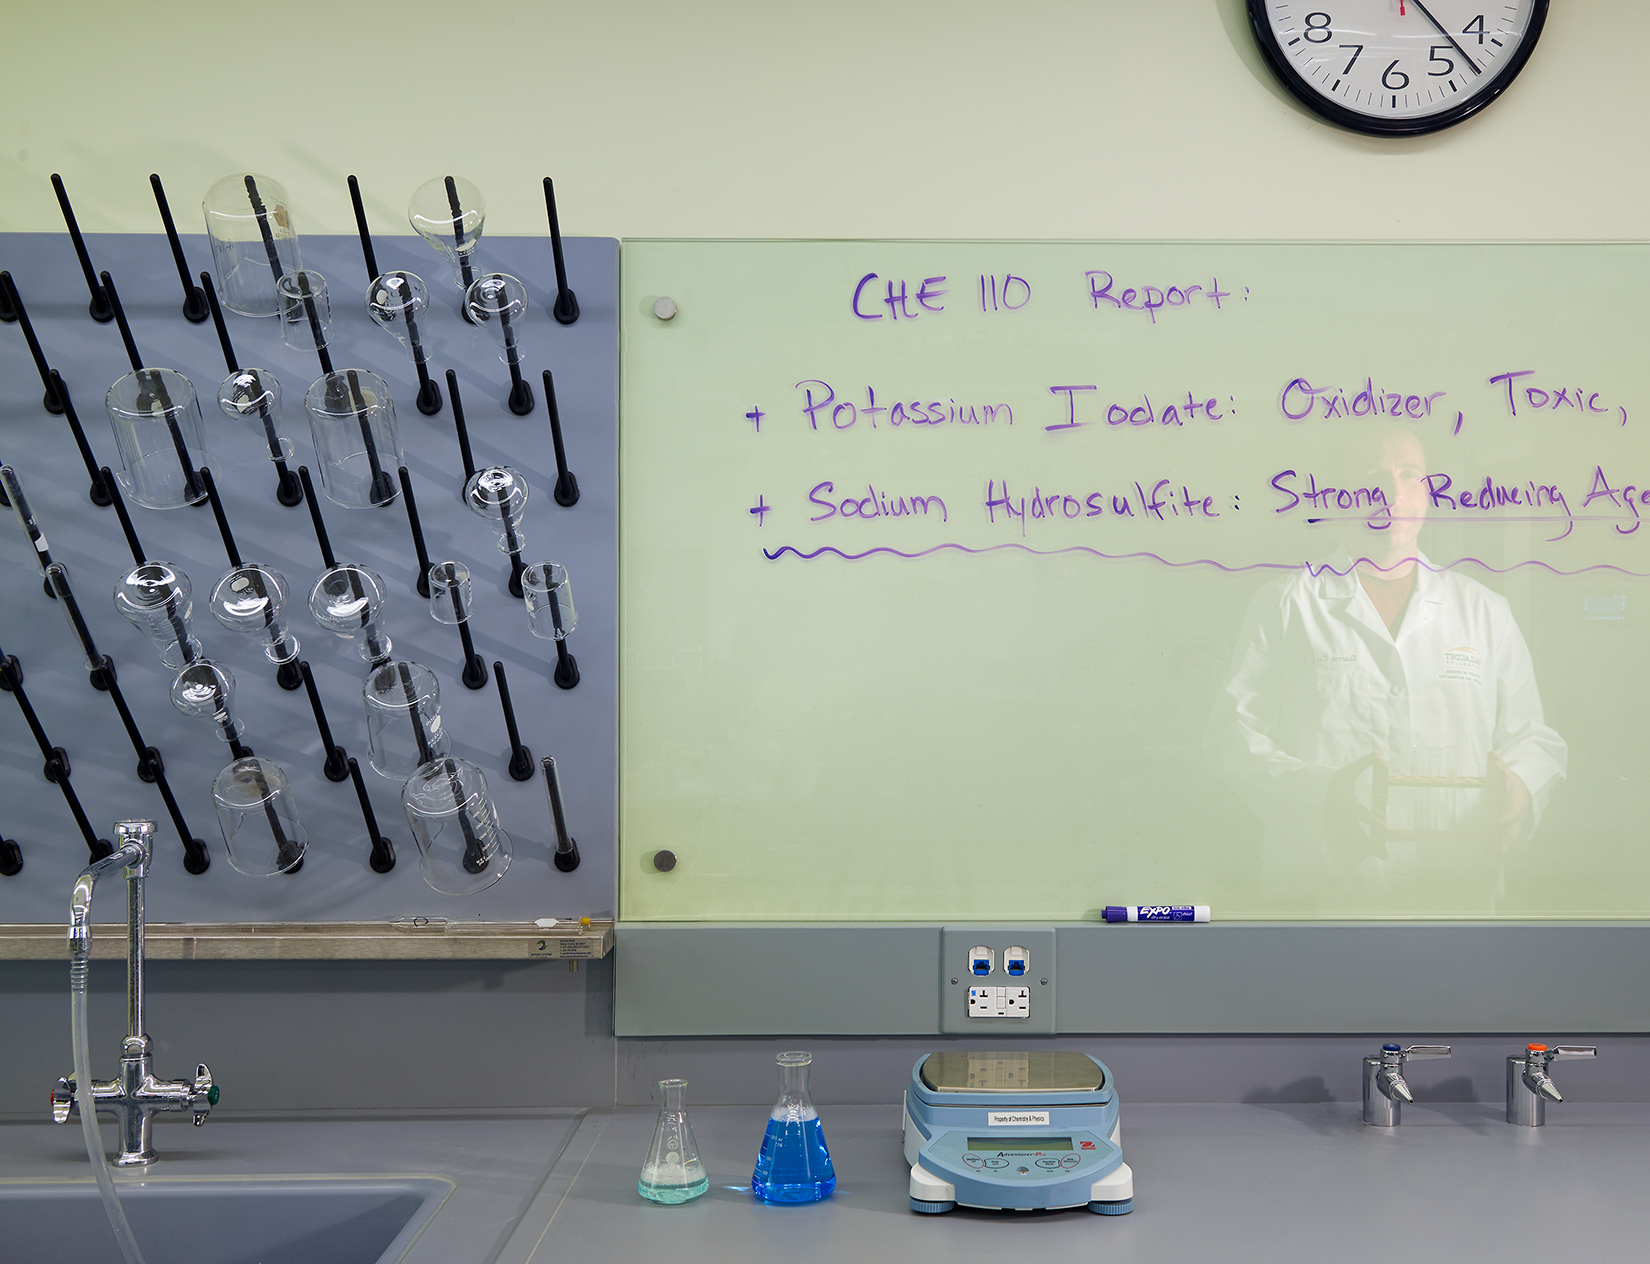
(324, 941)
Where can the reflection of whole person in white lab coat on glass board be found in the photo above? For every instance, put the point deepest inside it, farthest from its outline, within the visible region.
(1342, 666)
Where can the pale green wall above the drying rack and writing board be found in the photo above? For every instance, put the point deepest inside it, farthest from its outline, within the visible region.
(956, 118)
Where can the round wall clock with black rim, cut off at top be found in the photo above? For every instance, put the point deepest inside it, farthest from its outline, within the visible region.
(1397, 67)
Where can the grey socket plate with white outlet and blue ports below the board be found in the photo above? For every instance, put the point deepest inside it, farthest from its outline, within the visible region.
(968, 1002)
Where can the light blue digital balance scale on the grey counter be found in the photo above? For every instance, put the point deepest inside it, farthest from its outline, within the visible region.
(1016, 1133)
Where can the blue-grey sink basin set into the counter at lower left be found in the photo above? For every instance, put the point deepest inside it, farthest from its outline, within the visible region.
(222, 1222)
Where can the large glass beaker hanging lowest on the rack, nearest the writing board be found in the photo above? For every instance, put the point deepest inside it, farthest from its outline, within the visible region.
(461, 849)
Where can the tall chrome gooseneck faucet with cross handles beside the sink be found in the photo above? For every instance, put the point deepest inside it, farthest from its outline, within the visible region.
(134, 1097)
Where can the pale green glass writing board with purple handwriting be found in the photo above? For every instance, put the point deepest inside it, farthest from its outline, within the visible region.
(1016, 580)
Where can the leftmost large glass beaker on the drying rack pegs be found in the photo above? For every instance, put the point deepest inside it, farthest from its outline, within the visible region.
(158, 427)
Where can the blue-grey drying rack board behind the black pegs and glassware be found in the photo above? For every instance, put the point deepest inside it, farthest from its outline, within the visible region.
(336, 907)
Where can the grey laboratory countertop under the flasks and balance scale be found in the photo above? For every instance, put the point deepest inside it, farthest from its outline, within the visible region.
(1275, 1184)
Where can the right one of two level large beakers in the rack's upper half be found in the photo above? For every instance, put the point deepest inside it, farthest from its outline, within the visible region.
(357, 443)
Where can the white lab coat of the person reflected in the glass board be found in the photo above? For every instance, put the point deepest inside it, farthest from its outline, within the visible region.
(1318, 684)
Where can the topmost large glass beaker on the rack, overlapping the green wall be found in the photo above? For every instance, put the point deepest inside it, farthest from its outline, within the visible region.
(253, 242)
